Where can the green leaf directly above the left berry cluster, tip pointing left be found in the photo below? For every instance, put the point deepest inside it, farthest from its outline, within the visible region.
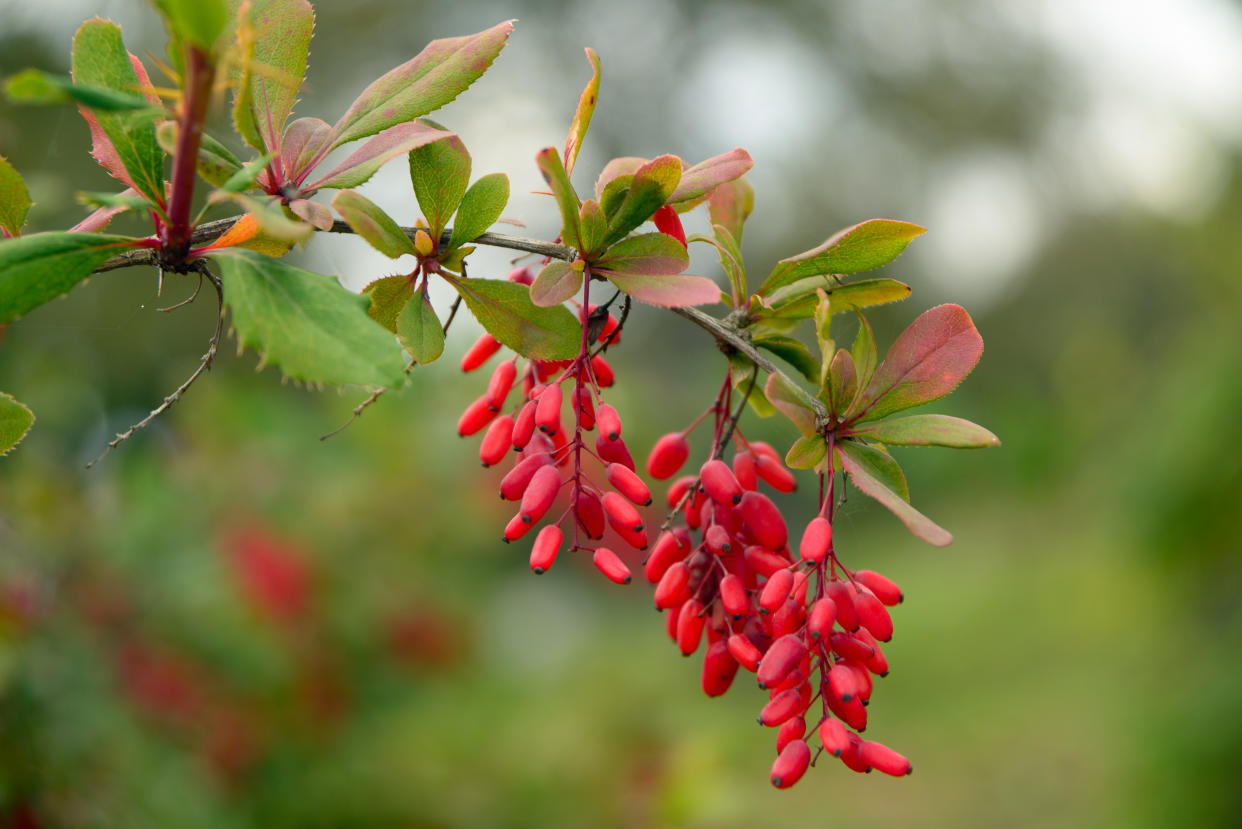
(506, 311)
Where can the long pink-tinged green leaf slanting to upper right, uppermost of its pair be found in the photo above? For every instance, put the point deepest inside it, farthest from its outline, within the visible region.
(438, 75)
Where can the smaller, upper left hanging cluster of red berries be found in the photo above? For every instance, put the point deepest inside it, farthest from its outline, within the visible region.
(550, 458)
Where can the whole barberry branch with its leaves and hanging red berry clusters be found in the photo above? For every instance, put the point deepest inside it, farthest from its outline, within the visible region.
(725, 569)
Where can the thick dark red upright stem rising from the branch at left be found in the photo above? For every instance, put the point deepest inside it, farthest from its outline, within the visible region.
(176, 236)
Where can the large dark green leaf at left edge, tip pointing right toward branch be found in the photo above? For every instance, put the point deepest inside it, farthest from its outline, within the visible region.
(43, 267)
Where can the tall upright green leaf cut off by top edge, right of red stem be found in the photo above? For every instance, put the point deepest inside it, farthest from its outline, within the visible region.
(280, 33)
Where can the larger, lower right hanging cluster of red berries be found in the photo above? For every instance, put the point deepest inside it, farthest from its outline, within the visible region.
(805, 626)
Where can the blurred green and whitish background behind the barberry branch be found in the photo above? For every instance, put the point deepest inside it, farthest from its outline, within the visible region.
(229, 623)
